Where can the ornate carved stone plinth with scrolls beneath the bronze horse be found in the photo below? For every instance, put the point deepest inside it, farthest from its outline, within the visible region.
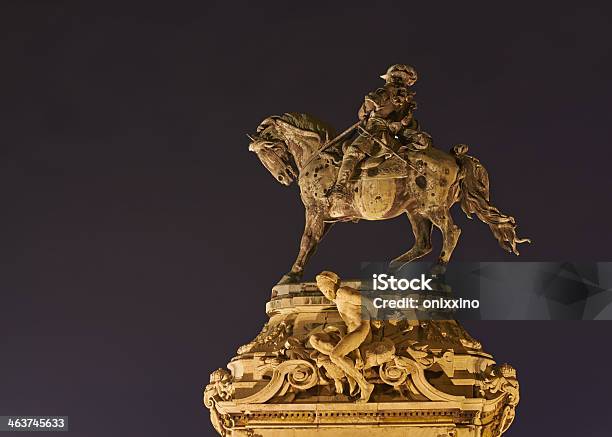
(430, 378)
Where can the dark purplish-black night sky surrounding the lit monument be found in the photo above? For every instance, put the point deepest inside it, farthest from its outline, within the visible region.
(140, 239)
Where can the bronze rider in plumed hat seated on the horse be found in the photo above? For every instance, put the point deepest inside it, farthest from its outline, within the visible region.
(384, 113)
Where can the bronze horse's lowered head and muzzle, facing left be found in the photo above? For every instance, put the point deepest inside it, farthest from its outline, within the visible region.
(271, 148)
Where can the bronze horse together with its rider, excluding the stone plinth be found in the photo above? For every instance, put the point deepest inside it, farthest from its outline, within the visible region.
(381, 167)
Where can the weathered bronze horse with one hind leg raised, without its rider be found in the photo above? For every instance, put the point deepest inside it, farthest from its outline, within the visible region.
(424, 184)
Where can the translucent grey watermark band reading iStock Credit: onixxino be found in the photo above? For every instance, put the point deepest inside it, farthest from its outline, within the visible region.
(553, 290)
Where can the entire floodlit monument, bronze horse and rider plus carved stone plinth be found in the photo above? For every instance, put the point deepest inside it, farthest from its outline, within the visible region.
(326, 364)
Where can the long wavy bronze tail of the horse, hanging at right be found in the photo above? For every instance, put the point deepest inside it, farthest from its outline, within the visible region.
(474, 199)
